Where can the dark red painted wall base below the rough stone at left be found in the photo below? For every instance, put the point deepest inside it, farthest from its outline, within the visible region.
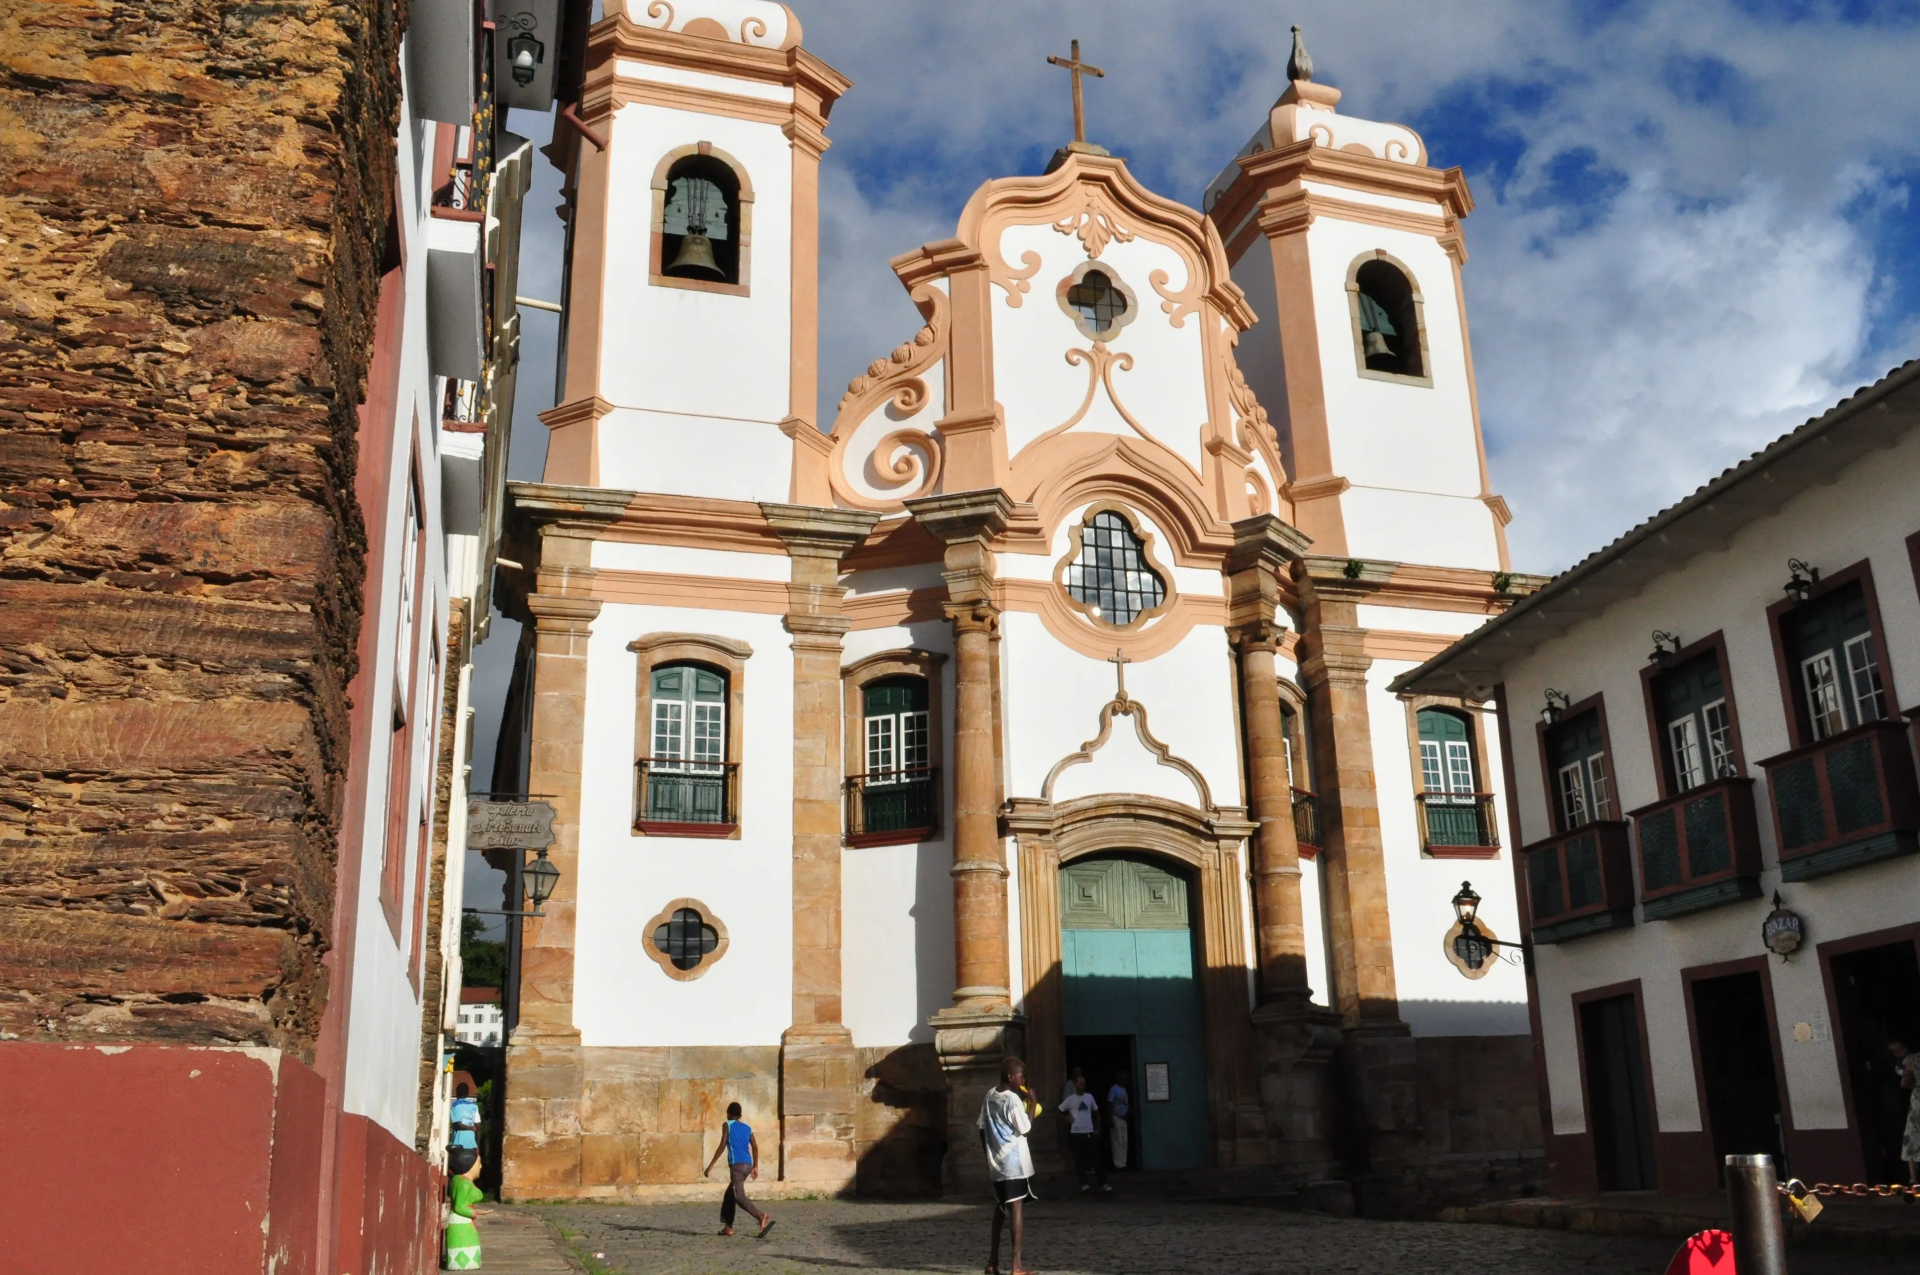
(185, 1153)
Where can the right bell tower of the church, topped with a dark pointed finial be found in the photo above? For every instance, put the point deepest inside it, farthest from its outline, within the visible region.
(1349, 249)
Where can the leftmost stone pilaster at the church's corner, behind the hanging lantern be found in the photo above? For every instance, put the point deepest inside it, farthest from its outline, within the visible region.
(544, 1067)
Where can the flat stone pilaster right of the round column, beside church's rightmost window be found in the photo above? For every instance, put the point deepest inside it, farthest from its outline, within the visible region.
(1378, 1051)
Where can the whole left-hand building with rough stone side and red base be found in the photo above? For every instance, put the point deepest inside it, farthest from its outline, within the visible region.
(260, 350)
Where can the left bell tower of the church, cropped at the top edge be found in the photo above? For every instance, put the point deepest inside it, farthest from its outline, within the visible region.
(692, 277)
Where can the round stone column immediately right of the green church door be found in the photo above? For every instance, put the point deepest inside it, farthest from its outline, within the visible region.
(1293, 1040)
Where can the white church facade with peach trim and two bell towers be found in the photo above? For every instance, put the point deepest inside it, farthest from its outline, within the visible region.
(1036, 702)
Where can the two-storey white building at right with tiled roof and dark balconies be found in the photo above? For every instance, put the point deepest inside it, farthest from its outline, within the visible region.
(1712, 779)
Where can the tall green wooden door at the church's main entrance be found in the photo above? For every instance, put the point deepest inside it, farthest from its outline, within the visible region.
(1128, 969)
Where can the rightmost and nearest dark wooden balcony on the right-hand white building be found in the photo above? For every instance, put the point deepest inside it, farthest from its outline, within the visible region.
(1844, 802)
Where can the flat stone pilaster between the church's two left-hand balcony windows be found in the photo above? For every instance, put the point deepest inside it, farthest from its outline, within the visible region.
(819, 1076)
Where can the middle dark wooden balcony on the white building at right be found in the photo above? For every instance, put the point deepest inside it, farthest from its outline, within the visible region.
(1698, 850)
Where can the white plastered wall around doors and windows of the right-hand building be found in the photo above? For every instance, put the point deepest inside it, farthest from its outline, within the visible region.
(1867, 514)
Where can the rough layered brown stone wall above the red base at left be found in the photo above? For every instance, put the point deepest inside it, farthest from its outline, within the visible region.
(193, 208)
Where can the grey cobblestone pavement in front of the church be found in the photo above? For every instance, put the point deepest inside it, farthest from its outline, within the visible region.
(1115, 1238)
